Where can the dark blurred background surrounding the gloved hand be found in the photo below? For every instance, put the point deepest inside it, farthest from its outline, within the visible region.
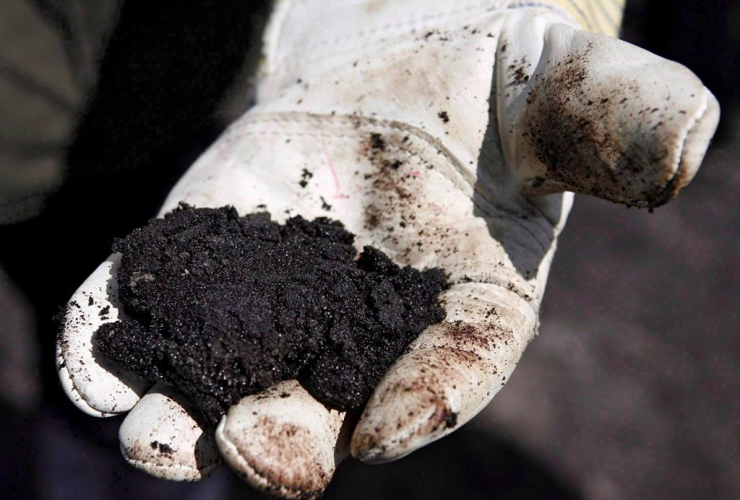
(630, 391)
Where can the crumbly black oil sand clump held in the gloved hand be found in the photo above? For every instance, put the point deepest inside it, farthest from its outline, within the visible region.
(224, 306)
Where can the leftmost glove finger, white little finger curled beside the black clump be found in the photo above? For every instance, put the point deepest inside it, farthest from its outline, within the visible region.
(95, 384)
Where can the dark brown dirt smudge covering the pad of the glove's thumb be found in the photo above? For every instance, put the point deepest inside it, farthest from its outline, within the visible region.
(576, 125)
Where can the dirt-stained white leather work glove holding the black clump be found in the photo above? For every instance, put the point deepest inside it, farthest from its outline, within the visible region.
(444, 134)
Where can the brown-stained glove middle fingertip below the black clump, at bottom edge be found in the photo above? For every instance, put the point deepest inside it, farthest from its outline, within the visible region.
(282, 441)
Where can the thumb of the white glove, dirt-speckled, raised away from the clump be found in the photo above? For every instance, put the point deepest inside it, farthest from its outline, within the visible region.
(603, 117)
